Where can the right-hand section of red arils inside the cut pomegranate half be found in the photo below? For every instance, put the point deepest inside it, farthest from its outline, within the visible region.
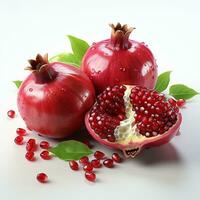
(154, 114)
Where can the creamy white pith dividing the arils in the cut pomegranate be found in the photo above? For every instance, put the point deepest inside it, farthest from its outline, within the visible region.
(127, 130)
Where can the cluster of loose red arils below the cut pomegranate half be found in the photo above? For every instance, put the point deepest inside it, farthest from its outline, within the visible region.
(90, 166)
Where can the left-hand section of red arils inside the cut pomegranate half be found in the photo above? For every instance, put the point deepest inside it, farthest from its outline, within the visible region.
(108, 112)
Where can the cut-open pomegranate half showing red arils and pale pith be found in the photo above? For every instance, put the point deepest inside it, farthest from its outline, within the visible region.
(132, 118)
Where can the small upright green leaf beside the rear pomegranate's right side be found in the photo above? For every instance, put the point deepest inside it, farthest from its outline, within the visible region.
(163, 81)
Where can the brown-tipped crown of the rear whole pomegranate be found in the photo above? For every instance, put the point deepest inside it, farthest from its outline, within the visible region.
(120, 36)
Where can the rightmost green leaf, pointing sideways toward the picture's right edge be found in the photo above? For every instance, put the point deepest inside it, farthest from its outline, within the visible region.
(180, 91)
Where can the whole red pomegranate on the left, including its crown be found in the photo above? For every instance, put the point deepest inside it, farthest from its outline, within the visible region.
(54, 98)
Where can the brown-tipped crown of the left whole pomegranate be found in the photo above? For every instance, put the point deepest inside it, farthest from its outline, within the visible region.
(41, 69)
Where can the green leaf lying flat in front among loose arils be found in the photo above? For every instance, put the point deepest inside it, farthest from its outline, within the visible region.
(70, 150)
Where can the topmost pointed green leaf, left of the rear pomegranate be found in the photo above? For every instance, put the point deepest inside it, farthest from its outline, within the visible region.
(79, 47)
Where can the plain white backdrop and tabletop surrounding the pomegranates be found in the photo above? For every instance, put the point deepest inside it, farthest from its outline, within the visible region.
(170, 28)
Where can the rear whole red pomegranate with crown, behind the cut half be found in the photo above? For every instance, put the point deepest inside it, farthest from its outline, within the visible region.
(119, 60)
